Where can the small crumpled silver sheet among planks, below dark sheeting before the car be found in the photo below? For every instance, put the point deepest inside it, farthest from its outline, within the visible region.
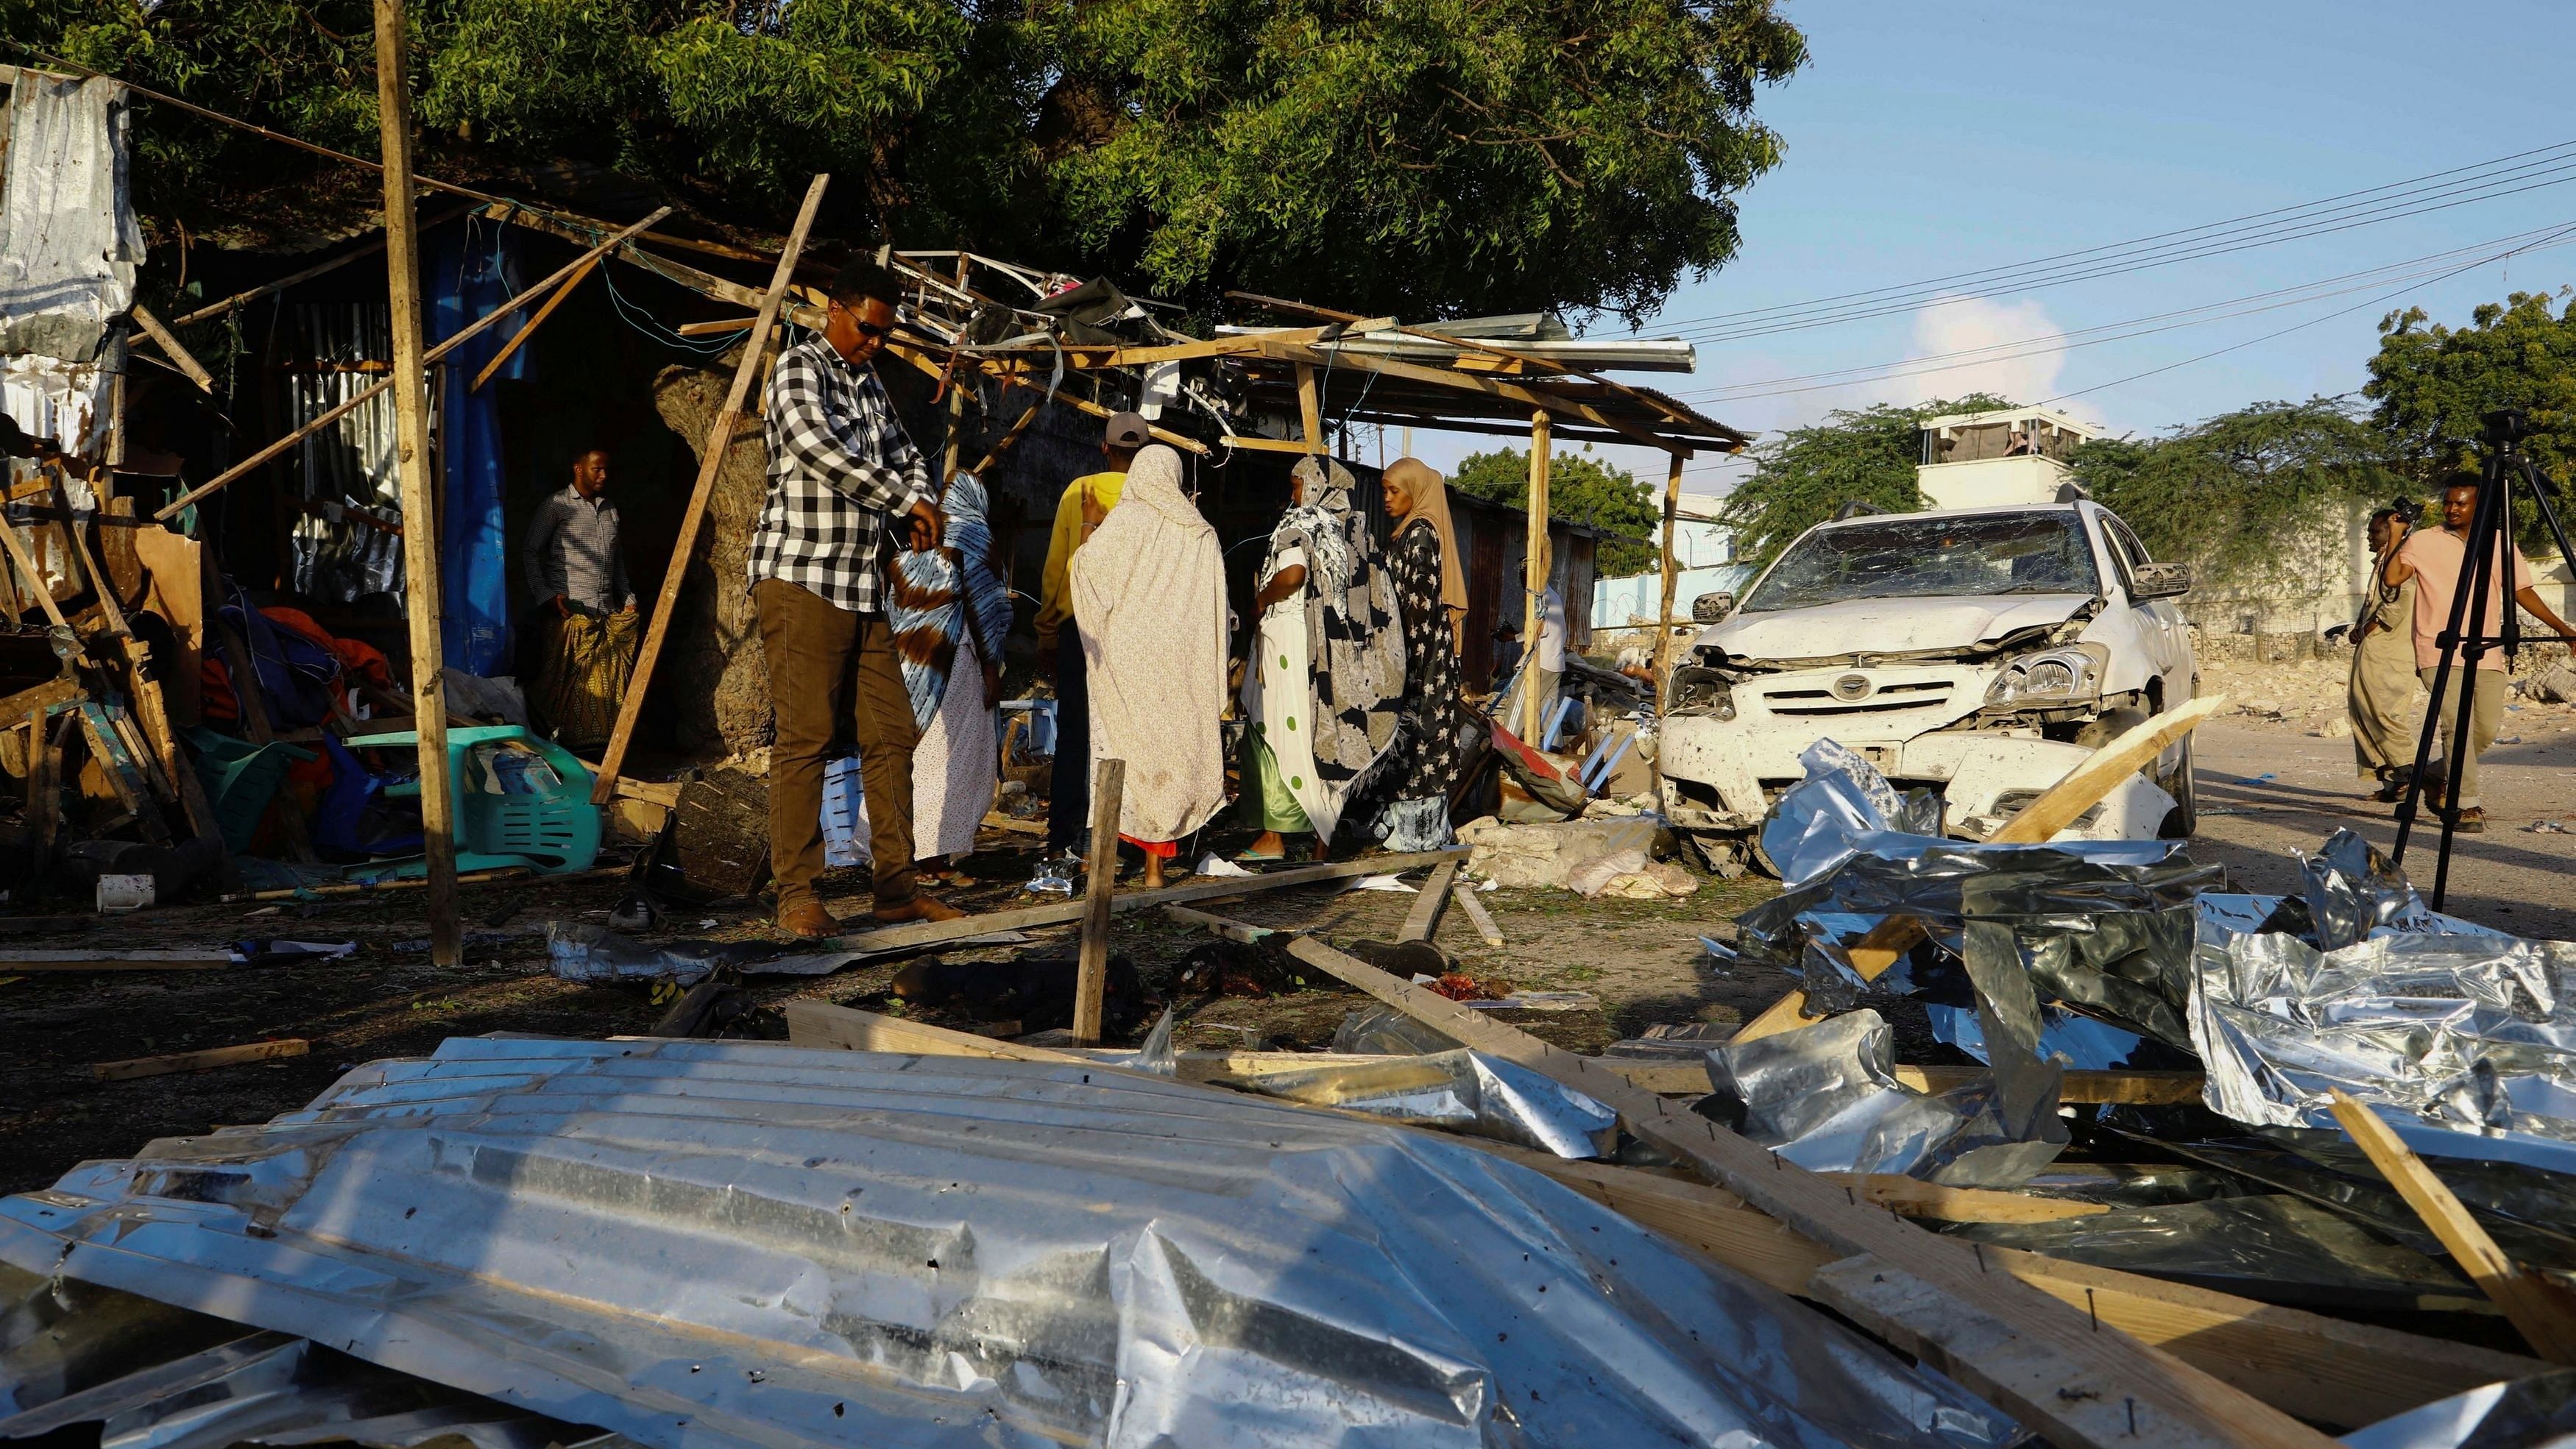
(1828, 1100)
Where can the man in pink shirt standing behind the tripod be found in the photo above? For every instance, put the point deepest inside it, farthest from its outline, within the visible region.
(2436, 562)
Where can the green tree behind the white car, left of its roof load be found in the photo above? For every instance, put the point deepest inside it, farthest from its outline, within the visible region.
(1807, 475)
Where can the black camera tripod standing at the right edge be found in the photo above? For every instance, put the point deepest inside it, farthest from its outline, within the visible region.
(2467, 634)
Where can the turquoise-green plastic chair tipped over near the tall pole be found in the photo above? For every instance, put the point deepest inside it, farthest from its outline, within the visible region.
(553, 830)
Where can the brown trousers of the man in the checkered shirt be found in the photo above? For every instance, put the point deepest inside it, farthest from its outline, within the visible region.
(831, 665)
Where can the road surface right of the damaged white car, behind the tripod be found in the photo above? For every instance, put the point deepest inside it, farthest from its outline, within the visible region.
(2508, 879)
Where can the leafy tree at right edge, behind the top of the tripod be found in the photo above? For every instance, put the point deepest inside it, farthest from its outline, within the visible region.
(2433, 382)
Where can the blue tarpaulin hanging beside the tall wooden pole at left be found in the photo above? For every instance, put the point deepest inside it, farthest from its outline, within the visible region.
(475, 274)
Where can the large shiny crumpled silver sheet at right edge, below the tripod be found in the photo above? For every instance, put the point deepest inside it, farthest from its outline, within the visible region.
(2461, 1038)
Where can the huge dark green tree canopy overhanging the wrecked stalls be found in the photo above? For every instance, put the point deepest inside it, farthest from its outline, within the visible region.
(1403, 156)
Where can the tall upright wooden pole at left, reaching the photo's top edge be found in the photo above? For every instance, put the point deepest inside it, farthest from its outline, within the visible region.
(419, 495)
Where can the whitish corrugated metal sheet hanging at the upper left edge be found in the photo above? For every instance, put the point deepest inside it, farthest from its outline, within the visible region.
(68, 235)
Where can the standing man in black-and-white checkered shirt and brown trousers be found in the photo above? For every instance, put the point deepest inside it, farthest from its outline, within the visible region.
(841, 477)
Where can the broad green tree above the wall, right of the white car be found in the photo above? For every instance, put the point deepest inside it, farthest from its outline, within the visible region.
(2258, 493)
